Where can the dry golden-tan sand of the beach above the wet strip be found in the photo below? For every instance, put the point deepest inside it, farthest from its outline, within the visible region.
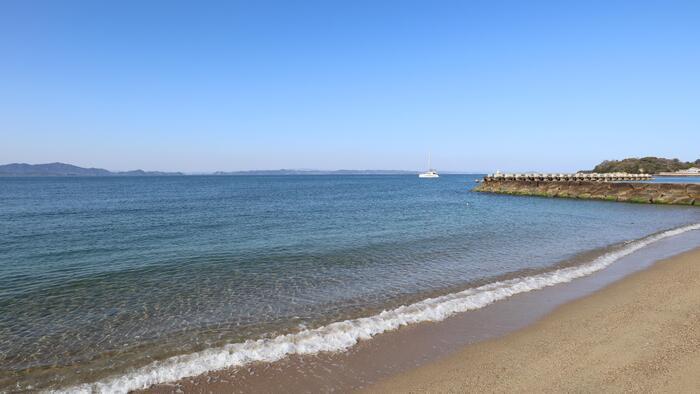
(640, 334)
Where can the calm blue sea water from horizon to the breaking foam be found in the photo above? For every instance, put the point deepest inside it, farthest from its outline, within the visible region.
(99, 276)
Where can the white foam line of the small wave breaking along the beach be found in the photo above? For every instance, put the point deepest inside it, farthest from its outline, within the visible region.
(342, 335)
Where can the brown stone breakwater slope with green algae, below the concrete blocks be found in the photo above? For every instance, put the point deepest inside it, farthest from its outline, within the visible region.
(649, 193)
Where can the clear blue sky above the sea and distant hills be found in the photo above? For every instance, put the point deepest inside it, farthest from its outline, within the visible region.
(489, 85)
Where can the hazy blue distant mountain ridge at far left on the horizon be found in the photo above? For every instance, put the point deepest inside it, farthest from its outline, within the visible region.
(62, 169)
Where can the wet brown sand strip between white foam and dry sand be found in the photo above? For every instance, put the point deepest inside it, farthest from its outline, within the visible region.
(395, 352)
